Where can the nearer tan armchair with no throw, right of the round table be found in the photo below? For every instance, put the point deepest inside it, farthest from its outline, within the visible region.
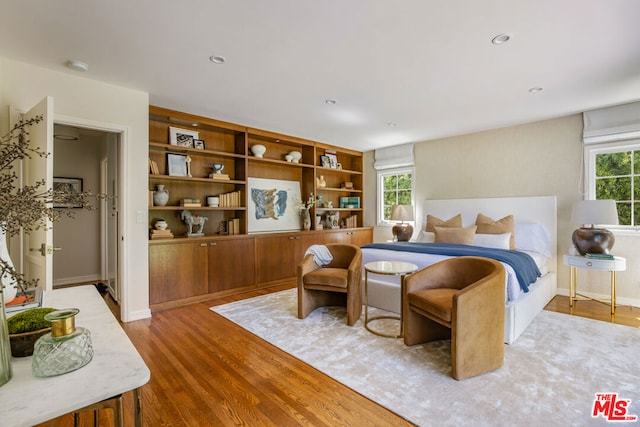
(462, 299)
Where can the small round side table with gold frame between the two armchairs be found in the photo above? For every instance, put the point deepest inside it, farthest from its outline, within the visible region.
(388, 268)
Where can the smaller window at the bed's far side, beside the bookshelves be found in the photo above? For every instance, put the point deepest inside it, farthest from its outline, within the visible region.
(395, 187)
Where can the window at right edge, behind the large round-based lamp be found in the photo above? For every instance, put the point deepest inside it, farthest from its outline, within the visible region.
(614, 173)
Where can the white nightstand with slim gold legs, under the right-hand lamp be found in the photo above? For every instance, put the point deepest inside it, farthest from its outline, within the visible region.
(613, 265)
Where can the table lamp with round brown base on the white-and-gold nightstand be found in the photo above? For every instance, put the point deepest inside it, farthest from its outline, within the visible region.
(588, 239)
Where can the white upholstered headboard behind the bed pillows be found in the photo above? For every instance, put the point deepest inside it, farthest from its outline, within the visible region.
(540, 209)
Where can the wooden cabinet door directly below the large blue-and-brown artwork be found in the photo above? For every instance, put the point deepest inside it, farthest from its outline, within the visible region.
(275, 258)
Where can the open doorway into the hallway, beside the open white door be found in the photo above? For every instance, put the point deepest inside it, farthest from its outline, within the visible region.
(87, 244)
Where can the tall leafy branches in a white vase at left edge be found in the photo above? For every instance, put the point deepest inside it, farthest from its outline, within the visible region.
(23, 209)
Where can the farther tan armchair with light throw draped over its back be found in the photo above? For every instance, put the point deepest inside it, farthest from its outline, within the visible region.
(336, 284)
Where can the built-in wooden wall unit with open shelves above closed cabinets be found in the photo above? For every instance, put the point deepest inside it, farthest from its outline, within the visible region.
(187, 269)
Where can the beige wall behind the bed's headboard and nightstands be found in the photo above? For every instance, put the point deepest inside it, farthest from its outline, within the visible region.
(535, 159)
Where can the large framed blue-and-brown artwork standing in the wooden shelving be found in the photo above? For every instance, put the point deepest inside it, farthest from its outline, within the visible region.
(273, 205)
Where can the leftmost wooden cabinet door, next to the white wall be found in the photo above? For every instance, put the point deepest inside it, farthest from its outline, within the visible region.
(177, 271)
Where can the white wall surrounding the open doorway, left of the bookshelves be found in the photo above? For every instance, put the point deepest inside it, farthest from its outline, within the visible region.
(23, 85)
